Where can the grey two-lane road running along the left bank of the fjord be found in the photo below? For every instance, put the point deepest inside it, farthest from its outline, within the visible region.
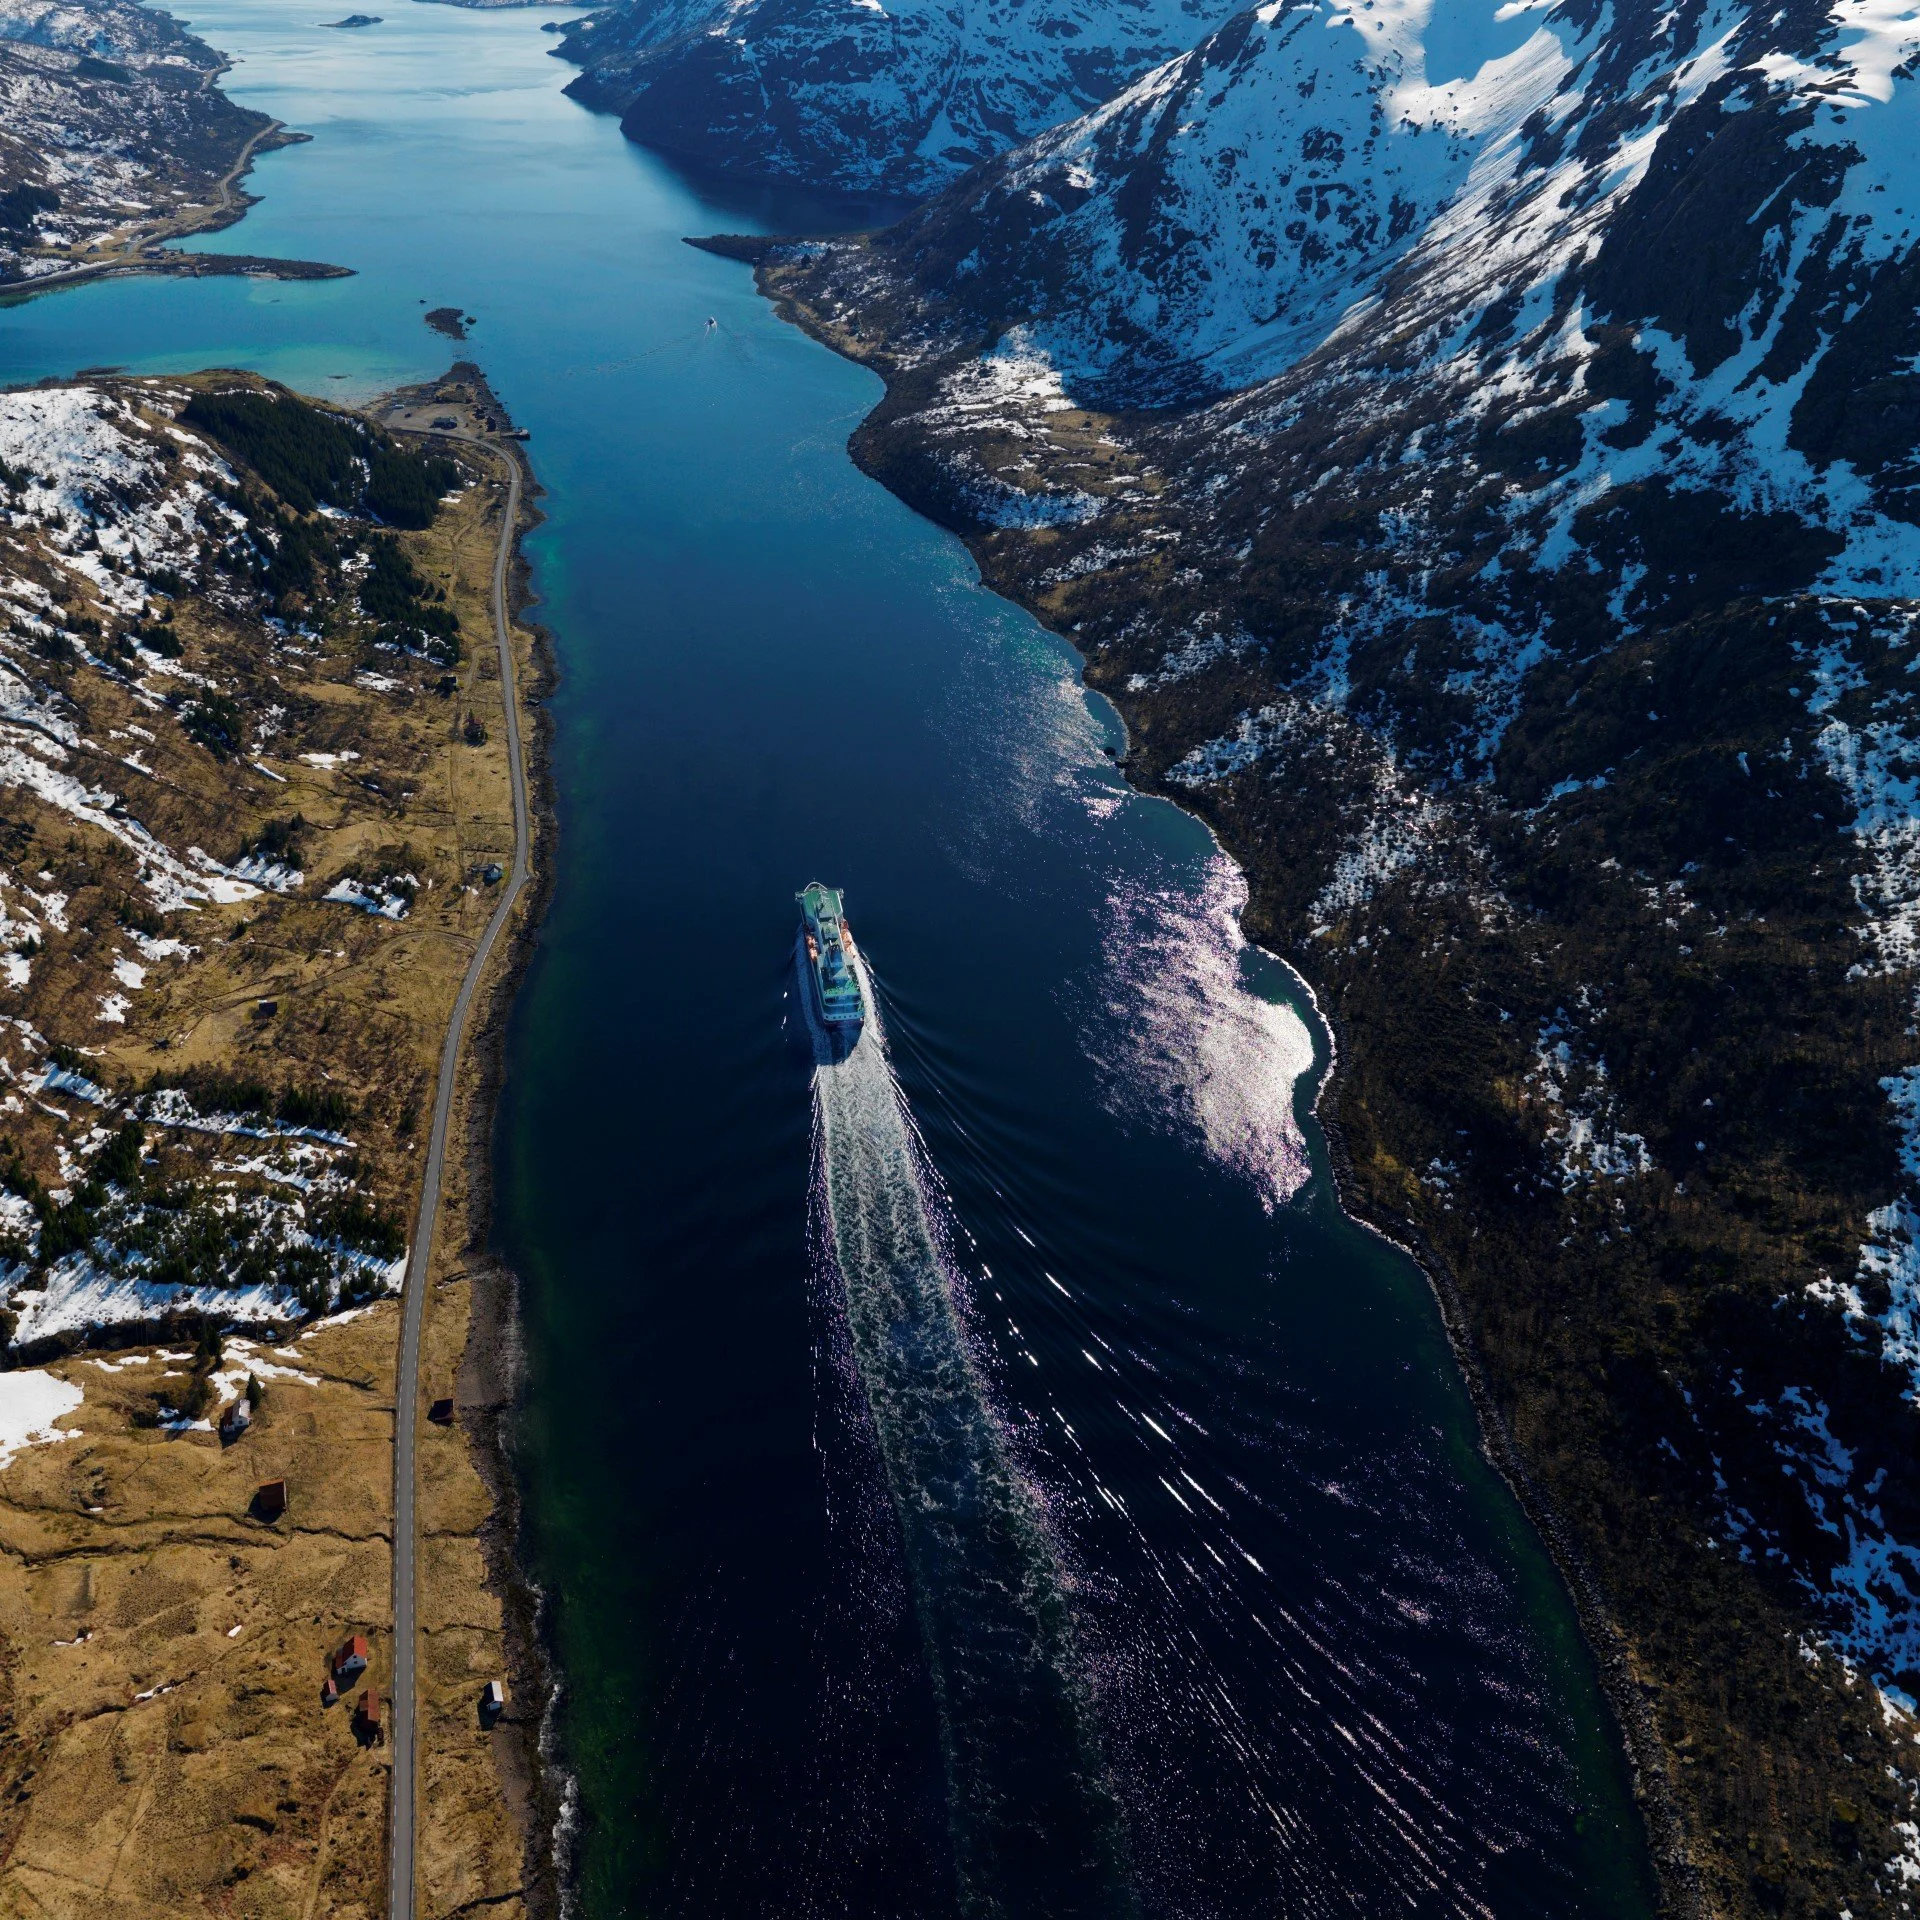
(420, 1266)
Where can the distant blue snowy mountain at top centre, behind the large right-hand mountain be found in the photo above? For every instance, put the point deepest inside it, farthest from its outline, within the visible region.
(894, 97)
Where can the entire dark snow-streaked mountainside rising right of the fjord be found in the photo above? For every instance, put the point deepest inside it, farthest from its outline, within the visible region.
(1477, 456)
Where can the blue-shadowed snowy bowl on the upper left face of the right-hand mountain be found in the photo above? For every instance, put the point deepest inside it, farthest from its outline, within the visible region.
(1230, 203)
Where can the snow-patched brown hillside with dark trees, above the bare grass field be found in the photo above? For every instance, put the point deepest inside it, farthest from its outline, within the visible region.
(210, 740)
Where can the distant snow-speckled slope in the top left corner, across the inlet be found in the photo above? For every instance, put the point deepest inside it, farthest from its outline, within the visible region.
(110, 128)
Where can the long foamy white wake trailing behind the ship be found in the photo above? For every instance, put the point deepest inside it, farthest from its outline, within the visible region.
(1034, 1827)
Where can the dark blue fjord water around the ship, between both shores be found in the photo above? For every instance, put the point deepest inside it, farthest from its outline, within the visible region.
(996, 1477)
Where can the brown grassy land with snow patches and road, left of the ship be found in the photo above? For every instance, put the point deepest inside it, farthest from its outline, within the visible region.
(258, 823)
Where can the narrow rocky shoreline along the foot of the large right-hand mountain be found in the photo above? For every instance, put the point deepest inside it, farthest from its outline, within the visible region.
(1677, 1875)
